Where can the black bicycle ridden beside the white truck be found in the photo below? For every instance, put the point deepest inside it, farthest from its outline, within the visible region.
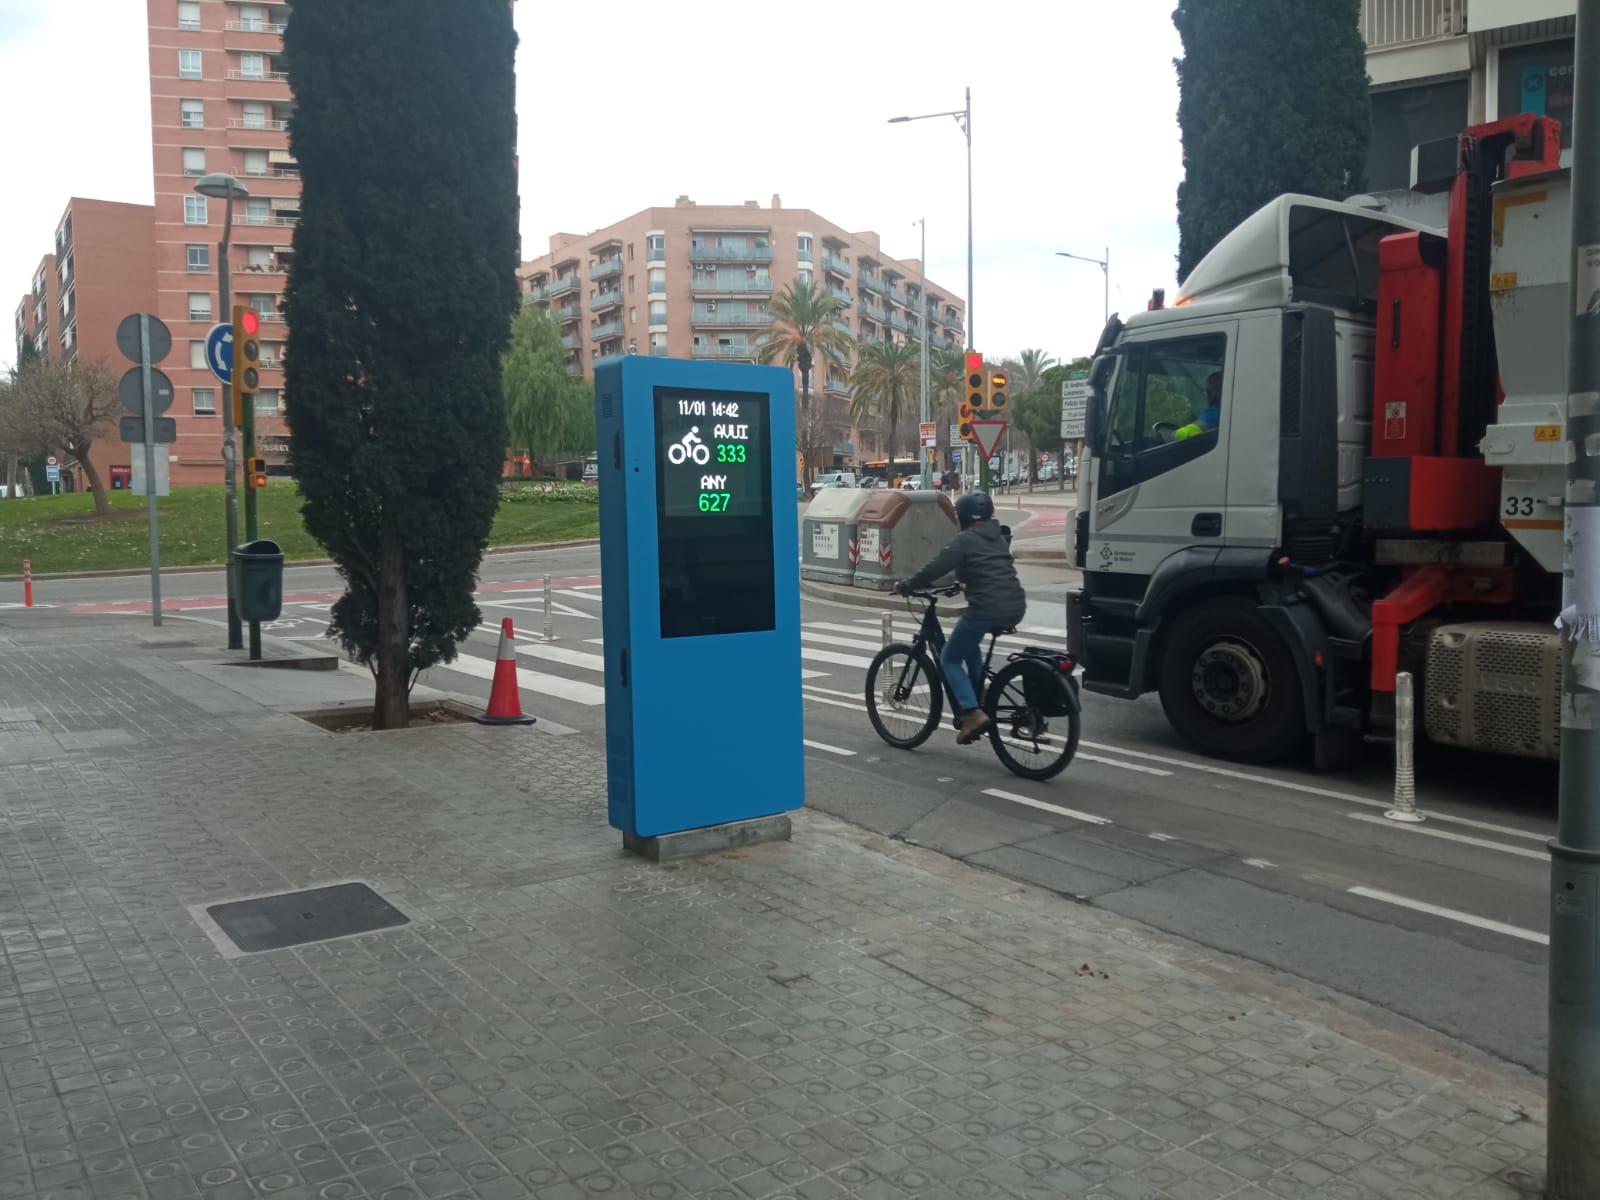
(1023, 698)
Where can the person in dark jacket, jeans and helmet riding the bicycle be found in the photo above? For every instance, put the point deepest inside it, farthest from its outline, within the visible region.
(980, 558)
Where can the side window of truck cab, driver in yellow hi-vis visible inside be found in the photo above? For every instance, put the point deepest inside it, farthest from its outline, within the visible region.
(1166, 407)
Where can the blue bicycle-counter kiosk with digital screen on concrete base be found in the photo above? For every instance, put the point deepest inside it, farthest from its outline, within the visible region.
(702, 601)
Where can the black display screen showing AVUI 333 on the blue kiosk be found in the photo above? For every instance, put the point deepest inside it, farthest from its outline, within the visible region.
(714, 513)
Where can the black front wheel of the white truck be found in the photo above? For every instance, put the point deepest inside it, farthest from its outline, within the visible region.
(1230, 684)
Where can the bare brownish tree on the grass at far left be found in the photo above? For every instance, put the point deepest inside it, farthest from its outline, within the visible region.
(63, 407)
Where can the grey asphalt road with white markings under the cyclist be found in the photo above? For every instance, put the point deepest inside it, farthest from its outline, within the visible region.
(1436, 927)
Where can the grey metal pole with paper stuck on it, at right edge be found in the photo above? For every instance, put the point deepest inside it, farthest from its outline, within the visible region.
(1574, 1098)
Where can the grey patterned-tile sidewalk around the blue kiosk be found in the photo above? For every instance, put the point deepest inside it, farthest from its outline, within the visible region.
(834, 1017)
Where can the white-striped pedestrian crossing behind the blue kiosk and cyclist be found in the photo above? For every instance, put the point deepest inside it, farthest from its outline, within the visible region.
(566, 678)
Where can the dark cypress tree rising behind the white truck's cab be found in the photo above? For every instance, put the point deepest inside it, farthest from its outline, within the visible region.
(1271, 98)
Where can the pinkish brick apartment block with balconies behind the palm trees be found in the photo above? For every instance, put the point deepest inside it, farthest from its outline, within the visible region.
(697, 281)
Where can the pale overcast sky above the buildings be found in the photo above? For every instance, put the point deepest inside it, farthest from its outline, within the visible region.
(1076, 138)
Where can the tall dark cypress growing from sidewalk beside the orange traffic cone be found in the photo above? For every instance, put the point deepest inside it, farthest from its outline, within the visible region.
(399, 305)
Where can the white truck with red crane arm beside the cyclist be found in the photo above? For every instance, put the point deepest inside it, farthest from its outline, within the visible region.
(1378, 486)
